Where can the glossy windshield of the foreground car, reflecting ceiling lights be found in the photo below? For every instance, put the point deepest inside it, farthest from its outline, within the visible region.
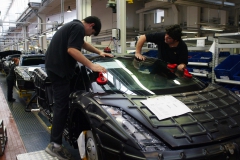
(127, 75)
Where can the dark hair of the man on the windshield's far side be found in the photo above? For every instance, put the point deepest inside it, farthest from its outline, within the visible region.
(174, 31)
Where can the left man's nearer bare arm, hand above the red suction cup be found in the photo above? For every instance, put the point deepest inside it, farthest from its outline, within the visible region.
(77, 55)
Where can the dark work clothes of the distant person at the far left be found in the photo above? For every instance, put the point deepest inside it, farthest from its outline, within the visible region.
(11, 78)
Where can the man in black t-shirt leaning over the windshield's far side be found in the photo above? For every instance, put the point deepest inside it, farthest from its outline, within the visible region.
(171, 48)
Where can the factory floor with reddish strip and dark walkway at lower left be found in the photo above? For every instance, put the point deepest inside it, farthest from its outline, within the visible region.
(27, 132)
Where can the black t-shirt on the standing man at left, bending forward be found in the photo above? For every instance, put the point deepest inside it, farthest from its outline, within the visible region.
(58, 61)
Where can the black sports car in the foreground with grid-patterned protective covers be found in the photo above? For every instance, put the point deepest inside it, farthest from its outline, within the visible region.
(120, 125)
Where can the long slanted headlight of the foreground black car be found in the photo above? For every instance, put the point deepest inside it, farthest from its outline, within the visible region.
(146, 140)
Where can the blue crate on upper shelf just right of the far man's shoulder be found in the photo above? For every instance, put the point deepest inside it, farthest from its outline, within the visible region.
(201, 57)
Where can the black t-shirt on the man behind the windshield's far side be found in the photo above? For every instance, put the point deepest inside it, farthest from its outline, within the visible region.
(175, 55)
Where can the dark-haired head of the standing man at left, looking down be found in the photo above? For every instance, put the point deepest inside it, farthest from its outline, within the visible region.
(92, 25)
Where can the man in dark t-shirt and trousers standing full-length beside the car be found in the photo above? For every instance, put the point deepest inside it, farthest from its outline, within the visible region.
(61, 58)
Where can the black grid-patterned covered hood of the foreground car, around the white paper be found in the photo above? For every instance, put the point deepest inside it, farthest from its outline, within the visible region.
(215, 116)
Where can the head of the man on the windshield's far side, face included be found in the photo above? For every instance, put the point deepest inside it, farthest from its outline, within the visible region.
(173, 33)
